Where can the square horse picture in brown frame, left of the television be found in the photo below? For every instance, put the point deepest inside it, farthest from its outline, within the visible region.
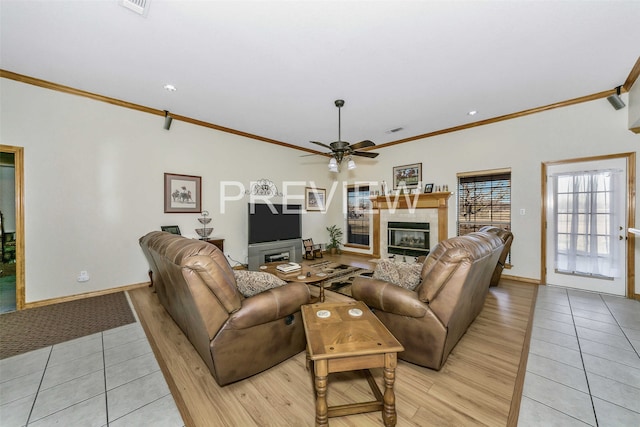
(182, 193)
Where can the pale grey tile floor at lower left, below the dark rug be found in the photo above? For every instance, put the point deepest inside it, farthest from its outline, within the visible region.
(105, 379)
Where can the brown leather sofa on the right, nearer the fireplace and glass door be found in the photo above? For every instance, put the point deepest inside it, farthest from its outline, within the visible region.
(430, 320)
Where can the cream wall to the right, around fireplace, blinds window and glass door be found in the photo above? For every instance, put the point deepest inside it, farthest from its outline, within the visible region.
(523, 144)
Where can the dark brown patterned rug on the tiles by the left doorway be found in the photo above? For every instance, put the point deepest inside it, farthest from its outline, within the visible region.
(34, 328)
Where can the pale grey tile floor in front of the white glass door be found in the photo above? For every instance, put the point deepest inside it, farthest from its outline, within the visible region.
(584, 364)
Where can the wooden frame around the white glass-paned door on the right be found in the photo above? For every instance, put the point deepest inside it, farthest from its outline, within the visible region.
(631, 206)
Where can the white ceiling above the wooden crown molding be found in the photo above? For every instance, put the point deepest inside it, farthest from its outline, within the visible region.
(274, 68)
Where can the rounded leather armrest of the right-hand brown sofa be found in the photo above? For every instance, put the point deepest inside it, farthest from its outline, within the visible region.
(387, 297)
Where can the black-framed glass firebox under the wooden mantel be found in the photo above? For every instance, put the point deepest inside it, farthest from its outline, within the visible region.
(408, 238)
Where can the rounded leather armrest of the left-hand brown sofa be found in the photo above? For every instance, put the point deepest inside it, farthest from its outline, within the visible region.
(270, 305)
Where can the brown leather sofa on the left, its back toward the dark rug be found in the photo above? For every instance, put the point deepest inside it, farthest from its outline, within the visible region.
(236, 336)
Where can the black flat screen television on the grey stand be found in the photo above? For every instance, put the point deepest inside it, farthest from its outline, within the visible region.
(269, 222)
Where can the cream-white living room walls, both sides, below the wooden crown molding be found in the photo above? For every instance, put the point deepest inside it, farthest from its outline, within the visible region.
(94, 178)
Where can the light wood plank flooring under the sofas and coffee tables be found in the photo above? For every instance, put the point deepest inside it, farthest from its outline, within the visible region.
(479, 385)
